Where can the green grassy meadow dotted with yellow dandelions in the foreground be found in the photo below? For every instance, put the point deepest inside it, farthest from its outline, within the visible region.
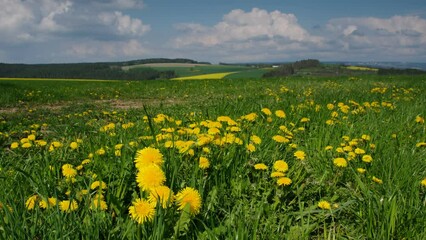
(282, 158)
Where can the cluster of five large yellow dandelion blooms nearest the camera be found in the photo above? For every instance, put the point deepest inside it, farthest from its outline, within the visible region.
(150, 179)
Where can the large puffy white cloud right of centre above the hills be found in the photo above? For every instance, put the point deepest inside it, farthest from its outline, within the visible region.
(238, 25)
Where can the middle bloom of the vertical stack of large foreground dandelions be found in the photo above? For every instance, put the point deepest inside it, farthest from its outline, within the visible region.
(150, 176)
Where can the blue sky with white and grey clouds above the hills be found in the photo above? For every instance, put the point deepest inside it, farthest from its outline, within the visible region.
(230, 31)
